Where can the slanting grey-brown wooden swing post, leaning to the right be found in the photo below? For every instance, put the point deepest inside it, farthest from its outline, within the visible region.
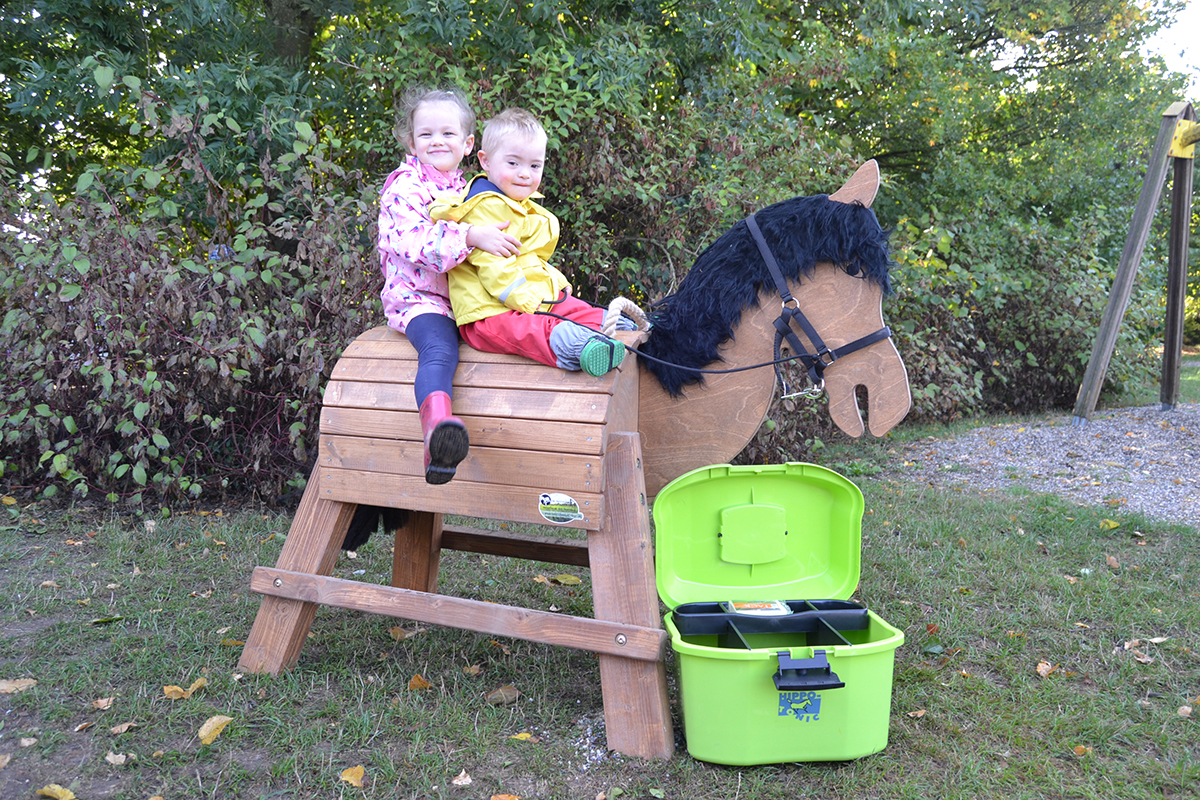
(1127, 269)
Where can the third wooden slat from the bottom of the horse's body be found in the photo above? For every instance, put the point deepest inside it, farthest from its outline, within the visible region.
(484, 432)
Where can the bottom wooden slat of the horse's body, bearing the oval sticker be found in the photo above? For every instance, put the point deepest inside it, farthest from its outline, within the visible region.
(464, 498)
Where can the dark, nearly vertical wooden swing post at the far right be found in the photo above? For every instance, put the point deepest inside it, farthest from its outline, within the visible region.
(1178, 269)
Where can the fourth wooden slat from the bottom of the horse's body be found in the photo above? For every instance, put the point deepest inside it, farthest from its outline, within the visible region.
(560, 407)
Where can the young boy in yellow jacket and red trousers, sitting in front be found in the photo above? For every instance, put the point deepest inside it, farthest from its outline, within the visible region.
(495, 297)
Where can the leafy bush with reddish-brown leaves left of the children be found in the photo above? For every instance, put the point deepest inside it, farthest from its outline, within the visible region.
(152, 351)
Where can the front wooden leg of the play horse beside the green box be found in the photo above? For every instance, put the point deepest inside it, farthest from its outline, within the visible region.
(638, 717)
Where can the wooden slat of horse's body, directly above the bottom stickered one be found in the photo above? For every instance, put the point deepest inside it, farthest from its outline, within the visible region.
(555, 472)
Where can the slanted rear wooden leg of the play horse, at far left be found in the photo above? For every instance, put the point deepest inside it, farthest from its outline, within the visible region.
(283, 625)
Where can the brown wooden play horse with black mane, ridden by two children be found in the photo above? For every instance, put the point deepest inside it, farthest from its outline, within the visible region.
(556, 448)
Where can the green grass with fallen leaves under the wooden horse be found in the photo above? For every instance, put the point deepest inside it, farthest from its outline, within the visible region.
(979, 586)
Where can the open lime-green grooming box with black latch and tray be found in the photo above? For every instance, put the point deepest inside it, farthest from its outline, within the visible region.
(776, 664)
